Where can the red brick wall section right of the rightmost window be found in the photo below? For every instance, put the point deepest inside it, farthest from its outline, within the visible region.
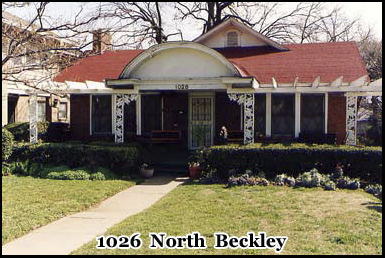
(337, 116)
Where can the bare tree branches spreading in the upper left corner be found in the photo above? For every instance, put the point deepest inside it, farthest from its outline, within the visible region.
(35, 50)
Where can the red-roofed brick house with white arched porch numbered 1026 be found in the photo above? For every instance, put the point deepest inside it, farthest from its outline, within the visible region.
(231, 76)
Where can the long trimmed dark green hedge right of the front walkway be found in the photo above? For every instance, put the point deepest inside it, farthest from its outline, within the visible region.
(293, 159)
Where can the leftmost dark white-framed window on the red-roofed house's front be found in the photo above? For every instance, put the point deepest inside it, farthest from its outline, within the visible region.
(101, 114)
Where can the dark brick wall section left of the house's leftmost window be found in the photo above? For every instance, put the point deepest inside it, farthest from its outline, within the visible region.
(80, 116)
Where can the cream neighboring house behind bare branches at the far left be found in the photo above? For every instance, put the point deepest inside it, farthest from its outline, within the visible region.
(15, 96)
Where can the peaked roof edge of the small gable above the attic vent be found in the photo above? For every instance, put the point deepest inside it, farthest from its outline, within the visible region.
(242, 27)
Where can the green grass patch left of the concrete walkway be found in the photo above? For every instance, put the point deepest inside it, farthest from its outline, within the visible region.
(29, 203)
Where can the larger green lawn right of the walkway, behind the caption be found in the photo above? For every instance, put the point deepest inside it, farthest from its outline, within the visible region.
(316, 221)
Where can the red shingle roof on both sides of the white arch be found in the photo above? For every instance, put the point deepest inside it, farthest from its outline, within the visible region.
(307, 61)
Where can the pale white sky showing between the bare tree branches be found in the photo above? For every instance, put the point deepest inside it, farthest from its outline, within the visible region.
(370, 13)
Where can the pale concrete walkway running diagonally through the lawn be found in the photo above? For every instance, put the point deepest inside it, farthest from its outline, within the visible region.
(67, 234)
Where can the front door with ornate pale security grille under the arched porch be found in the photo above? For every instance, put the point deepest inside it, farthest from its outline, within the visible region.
(201, 124)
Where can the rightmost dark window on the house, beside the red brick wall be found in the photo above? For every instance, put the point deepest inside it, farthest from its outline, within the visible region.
(312, 113)
